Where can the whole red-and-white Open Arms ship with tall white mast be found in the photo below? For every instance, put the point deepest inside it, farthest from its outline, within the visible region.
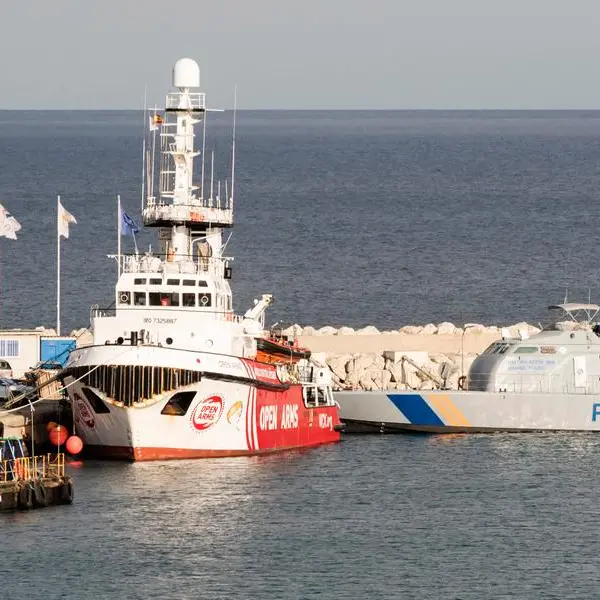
(173, 372)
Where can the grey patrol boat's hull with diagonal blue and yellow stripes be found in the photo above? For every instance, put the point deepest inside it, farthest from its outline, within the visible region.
(467, 412)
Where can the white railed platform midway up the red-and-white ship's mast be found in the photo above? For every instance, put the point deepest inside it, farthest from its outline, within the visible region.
(204, 210)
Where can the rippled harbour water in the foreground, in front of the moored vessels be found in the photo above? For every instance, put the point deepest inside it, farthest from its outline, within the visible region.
(470, 518)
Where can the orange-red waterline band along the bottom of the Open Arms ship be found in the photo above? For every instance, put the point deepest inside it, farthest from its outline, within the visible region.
(144, 454)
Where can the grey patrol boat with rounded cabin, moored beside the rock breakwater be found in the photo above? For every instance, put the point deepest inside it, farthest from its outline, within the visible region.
(549, 382)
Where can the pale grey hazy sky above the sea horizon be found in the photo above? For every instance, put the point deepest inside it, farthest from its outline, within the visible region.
(304, 54)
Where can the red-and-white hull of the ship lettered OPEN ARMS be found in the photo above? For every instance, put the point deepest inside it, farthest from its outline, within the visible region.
(237, 407)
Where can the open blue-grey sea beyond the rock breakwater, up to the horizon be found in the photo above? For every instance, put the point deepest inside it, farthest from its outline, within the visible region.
(348, 218)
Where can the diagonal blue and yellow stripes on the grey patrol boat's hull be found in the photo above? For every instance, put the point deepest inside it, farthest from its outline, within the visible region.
(433, 410)
